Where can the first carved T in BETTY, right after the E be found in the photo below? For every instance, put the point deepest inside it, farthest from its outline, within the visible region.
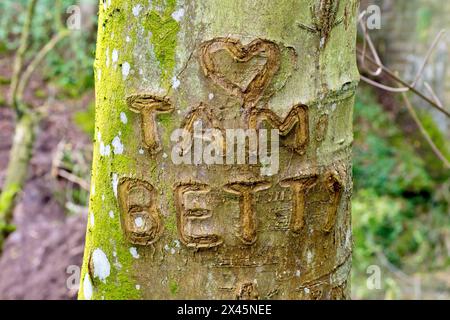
(246, 191)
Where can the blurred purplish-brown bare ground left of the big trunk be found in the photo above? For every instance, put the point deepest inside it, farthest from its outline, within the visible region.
(48, 239)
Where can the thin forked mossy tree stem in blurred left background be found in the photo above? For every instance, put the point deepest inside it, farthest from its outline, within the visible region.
(27, 120)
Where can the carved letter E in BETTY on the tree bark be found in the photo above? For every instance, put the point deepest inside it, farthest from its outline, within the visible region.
(192, 207)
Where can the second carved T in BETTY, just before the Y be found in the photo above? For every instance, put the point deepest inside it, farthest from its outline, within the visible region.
(299, 187)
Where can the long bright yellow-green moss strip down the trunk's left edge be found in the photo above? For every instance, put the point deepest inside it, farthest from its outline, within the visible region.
(110, 102)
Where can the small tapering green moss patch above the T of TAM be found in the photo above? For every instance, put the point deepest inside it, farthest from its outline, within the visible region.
(163, 29)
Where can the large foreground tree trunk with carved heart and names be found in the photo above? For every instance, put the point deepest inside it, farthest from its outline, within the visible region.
(159, 229)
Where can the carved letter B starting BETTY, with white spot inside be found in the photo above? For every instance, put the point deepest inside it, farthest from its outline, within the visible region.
(139, 215)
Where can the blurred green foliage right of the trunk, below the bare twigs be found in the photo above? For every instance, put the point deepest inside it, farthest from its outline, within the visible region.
(401, 218)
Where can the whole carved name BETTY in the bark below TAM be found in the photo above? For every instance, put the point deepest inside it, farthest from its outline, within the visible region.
(141, 222)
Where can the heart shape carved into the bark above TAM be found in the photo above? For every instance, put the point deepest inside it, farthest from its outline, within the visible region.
(241, 54)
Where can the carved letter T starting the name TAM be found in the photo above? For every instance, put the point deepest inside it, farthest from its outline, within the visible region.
(148, 106)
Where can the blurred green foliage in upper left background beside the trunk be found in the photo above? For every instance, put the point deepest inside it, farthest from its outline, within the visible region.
(69, 67)
